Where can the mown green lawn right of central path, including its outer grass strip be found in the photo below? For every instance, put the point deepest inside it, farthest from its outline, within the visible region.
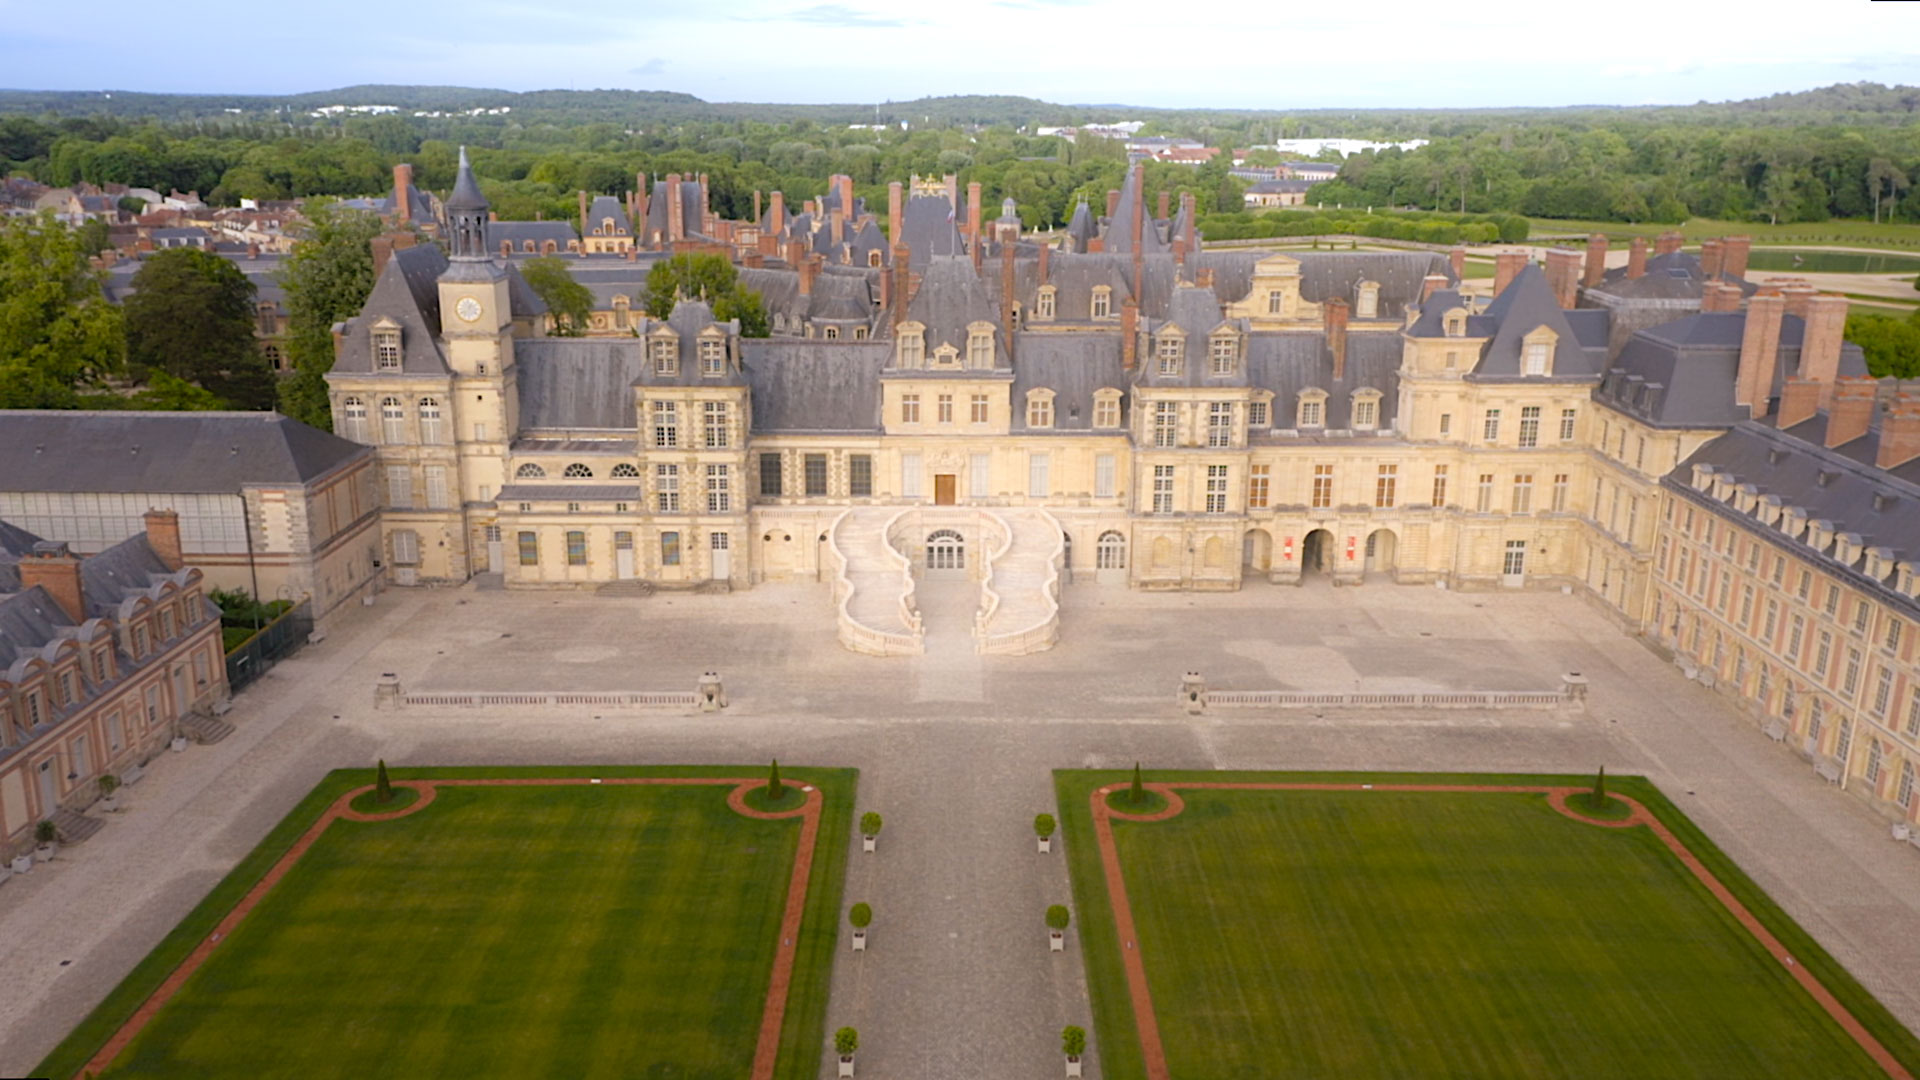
(1443, 935)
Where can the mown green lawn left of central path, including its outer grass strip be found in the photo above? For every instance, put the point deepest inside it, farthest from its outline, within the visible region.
(579, 931)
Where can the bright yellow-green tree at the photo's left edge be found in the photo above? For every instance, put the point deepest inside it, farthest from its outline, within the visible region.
(59, 333)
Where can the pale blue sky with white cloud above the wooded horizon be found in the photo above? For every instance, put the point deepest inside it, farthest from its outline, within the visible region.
(1274, 57)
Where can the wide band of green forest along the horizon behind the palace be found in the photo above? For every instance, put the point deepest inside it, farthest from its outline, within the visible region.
(1846, 151)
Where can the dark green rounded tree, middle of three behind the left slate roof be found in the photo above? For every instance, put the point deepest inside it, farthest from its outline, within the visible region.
(193, 316)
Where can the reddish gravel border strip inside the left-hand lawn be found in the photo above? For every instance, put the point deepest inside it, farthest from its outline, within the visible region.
(767, 1048)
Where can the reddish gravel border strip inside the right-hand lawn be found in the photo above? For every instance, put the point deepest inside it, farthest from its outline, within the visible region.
(1143, 1004)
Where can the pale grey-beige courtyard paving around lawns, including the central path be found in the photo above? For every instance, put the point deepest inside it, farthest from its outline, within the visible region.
(957, 752)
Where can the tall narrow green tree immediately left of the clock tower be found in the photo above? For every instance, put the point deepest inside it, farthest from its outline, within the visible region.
(327, 280)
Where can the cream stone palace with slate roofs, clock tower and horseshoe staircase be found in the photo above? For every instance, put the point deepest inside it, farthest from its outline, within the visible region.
(1698, 453)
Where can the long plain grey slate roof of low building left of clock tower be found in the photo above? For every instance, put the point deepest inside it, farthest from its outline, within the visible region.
(162, 453)
